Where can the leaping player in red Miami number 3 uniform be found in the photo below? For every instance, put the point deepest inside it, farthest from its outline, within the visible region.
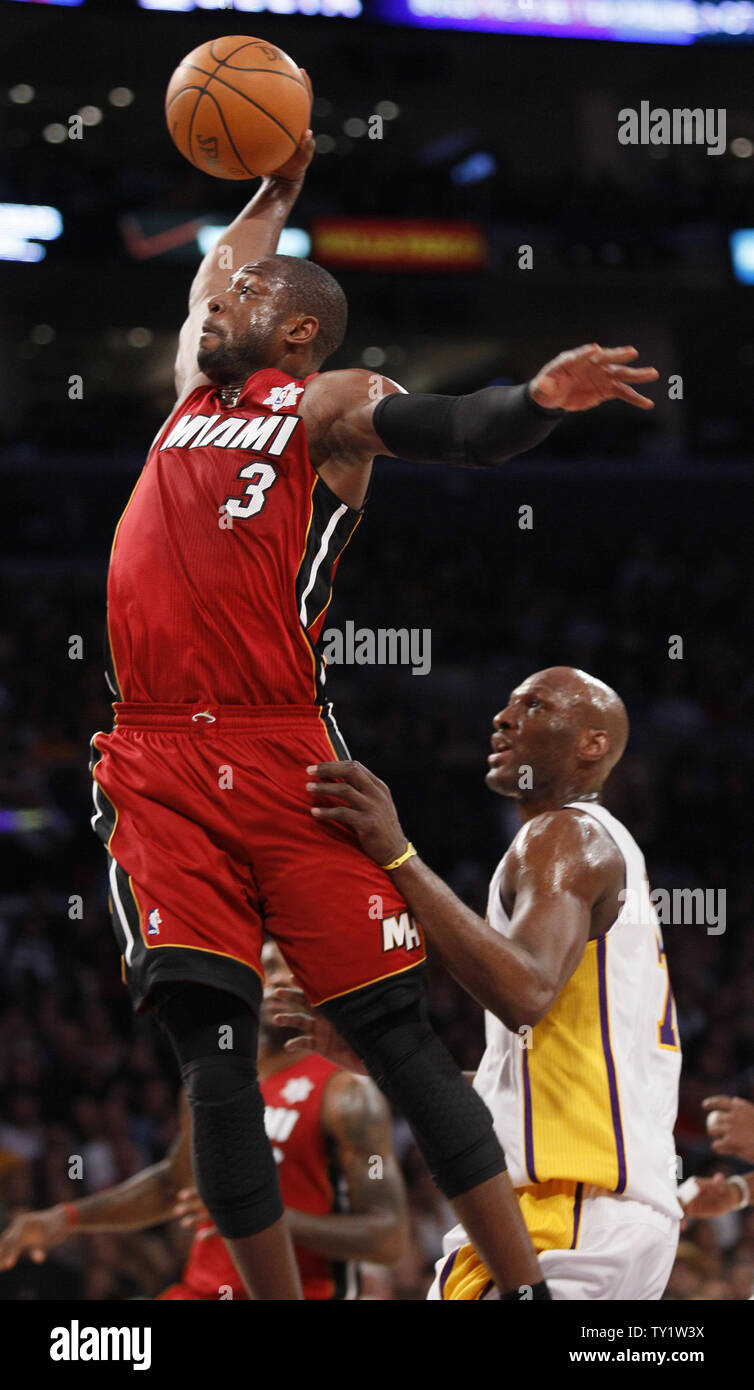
(220, 576)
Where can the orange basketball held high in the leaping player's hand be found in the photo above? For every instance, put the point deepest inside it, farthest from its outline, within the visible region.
(237, 108)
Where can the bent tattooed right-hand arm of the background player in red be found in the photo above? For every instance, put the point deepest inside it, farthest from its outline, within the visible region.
(357, 1125)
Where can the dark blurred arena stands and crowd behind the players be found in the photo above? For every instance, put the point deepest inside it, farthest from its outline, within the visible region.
(642, 523)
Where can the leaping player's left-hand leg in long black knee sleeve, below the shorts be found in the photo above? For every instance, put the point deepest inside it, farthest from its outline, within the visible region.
(215, 1038)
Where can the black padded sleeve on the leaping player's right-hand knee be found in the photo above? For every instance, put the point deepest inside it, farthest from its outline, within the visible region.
(387, 1025)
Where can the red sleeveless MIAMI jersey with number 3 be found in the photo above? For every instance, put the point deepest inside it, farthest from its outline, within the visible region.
(223, 562)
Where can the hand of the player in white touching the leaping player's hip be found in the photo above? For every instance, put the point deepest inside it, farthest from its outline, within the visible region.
(367, 807)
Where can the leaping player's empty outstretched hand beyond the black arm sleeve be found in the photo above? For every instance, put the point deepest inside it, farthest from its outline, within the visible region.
(586, 377)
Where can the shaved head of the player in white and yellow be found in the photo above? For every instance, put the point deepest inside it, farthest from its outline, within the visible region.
(559, 739)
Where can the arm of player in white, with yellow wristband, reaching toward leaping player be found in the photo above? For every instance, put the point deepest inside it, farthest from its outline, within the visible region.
(559, 876)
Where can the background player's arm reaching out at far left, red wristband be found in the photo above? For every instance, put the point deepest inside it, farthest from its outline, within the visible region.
(145, 1200)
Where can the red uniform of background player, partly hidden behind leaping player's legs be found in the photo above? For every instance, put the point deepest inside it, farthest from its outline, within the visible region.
(308, 1184)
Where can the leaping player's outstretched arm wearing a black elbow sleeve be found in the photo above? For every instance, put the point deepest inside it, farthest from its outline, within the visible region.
(360, 415)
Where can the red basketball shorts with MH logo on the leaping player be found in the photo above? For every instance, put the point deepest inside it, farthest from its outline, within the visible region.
(212, 844)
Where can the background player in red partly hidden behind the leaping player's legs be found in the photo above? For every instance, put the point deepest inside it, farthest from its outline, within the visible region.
(326, 1128)
